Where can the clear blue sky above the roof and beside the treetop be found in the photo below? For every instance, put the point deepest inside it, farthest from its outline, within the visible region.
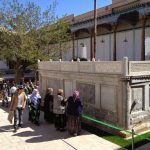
(66, 7)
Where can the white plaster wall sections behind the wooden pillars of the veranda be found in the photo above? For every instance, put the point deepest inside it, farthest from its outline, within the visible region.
(104, 51)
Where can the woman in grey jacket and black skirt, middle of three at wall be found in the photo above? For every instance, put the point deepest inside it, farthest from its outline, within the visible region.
(59, 111)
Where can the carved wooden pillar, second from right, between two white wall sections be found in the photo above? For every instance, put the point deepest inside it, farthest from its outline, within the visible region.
(114, 28)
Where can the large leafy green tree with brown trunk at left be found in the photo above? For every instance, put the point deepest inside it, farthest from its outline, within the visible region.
(26, 34)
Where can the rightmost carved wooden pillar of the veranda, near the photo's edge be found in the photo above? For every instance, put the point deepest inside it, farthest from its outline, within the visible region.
(143, 21)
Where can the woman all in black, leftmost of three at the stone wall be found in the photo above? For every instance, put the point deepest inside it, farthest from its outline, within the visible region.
(48, 105)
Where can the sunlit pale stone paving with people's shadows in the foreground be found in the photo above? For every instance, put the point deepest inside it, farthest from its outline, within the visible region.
(45, 137)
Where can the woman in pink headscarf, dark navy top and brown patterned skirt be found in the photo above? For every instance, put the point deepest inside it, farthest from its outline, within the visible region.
(74, 110)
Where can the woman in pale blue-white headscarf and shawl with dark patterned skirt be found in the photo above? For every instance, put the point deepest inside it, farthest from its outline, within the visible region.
(35, 100)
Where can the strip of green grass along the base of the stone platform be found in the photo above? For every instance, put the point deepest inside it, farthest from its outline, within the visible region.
(138, 140)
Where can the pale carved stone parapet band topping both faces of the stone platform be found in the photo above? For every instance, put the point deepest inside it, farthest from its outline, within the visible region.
(110, 67)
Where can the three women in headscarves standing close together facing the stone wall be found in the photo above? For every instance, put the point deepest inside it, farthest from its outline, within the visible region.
(65, 112)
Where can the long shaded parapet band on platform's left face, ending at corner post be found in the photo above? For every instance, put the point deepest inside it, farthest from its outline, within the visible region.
(91, 67)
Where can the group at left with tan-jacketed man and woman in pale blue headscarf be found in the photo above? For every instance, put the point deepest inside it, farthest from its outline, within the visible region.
(19, 98)
